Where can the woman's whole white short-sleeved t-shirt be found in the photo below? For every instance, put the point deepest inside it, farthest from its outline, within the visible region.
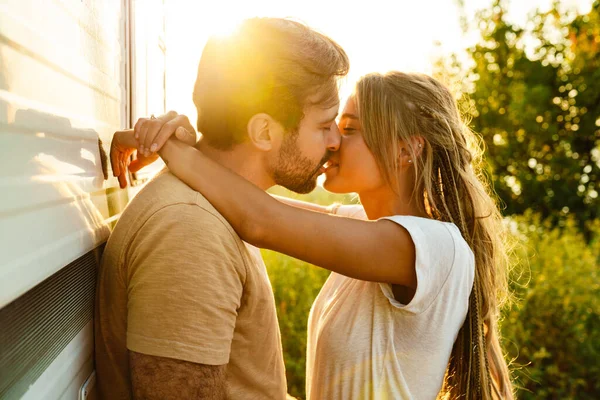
(364, 344)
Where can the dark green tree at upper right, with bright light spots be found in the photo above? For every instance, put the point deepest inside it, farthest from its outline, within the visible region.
(534, 95)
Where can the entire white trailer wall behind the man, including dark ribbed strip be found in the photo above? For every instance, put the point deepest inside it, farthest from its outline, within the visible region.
(65, 85)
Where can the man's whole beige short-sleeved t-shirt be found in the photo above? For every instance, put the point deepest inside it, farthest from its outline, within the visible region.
(176, 281)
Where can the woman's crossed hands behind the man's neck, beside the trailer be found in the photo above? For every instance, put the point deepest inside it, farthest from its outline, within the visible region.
(148, 136)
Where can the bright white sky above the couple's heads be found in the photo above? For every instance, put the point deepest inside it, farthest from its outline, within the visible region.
(377, 35)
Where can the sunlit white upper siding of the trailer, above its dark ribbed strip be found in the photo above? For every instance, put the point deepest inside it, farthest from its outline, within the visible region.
(62, 88)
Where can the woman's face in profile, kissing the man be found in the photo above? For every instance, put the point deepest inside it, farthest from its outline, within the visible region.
(353, 167)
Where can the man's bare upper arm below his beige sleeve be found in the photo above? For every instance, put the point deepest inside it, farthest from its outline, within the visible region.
(164, 378)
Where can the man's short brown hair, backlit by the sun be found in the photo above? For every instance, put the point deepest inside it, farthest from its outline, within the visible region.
(269, 65)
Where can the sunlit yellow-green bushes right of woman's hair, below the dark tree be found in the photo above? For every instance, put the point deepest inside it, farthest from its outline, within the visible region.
(552, 331)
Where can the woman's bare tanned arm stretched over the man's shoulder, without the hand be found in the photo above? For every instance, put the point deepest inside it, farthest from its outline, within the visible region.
(379, 251)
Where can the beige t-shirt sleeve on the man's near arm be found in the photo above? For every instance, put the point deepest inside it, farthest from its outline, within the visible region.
(185, 280)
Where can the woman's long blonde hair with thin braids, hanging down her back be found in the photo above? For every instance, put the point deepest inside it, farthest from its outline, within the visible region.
(449, 179)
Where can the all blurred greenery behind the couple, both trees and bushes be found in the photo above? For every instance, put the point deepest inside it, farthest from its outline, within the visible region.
(533, 93)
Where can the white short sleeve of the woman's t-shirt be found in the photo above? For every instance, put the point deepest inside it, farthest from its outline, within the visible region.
(435, 252)
